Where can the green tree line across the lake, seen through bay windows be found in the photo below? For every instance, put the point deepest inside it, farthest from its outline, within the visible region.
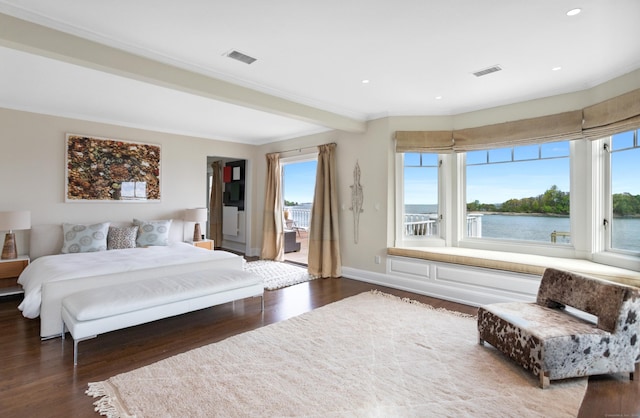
(555, 202)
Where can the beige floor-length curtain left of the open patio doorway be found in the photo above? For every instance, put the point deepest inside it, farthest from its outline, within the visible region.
(272, 230)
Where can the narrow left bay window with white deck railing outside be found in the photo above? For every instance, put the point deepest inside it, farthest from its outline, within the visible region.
(420, 195)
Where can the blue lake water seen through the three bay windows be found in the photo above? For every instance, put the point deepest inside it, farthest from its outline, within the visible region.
(625, 231)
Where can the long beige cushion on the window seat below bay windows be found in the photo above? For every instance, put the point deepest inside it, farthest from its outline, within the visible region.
(516, 262)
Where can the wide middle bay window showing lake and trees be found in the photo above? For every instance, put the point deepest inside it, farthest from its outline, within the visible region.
(519, 193)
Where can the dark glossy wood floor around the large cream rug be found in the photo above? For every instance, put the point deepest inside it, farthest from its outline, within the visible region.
(38, 378)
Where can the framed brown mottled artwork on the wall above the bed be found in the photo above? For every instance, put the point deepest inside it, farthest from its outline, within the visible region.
(111, 170)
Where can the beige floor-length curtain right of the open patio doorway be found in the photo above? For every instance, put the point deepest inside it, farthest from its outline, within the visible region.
(324, 235)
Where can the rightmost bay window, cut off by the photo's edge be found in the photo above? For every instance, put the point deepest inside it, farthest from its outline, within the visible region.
(625, 192)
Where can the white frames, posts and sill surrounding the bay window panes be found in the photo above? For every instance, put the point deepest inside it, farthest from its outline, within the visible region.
(589, 190)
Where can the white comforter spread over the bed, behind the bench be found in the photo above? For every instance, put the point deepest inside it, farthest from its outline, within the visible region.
(60, 267)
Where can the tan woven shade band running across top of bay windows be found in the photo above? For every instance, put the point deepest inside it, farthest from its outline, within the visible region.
(612, 116)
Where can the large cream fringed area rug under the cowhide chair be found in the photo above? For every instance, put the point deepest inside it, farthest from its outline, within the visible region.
(368, 355)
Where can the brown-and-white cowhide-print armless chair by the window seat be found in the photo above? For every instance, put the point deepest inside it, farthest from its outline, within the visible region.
(554, 344)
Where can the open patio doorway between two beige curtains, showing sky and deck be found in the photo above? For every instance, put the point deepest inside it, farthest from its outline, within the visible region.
(298, 186)
